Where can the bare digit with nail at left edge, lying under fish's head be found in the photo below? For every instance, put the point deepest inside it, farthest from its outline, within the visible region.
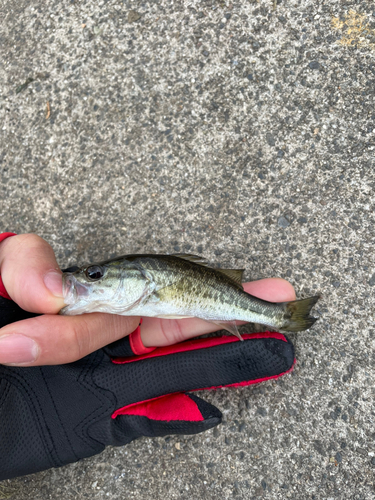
(53, 339)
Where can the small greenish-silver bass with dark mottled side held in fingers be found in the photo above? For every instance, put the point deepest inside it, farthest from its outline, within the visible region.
(177, 286)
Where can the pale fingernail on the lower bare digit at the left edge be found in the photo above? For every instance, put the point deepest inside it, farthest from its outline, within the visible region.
(16, 349)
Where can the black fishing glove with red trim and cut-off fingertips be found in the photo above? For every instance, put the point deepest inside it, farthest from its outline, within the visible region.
(54, 415)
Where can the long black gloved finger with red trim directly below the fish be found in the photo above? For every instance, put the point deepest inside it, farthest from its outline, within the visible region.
(223, 361)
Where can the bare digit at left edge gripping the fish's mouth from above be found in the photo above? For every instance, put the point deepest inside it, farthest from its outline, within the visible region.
(30, 273)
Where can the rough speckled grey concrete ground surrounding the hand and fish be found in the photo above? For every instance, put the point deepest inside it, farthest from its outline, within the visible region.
(242, 131)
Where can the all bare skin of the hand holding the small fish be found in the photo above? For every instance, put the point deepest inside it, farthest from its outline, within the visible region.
(32, 278)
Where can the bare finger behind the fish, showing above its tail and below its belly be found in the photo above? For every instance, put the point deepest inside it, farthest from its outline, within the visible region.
(156, 332)
